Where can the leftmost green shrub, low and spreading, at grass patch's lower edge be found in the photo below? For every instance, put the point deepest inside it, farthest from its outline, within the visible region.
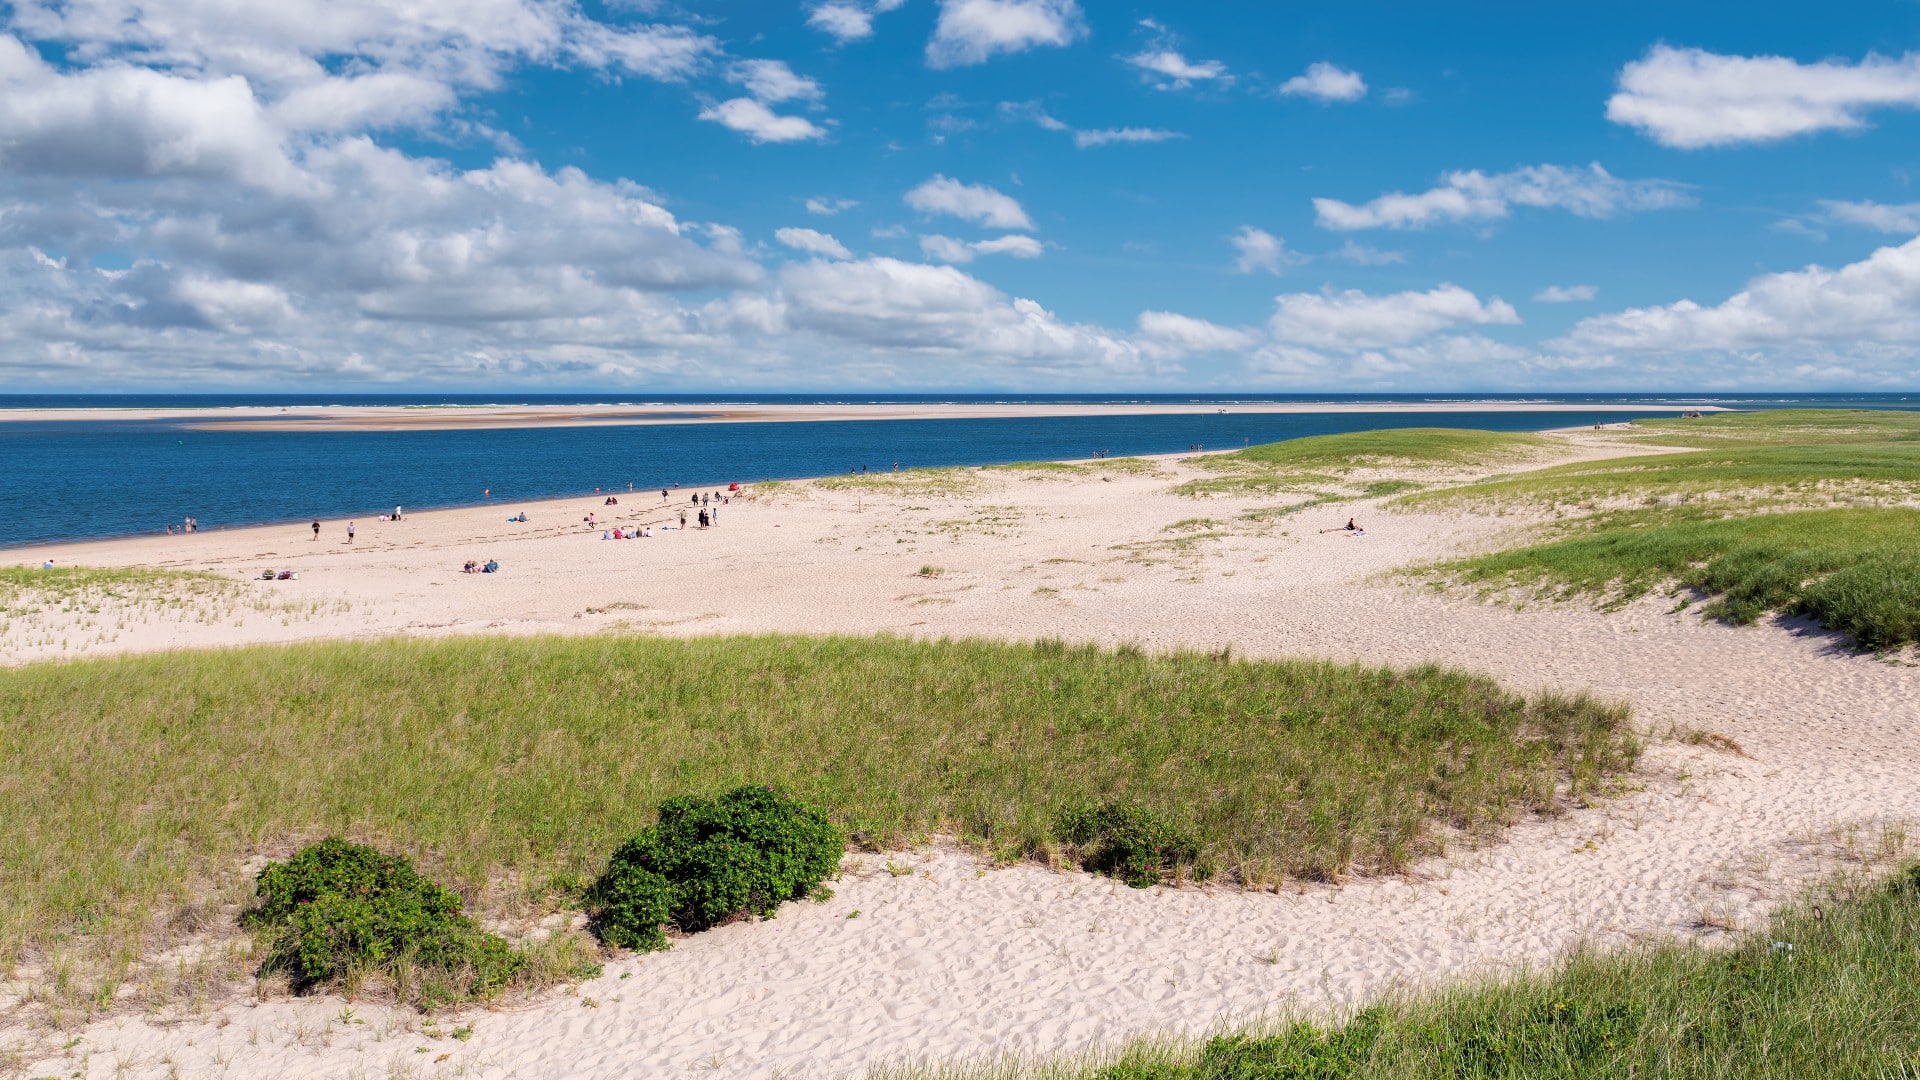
(337, 908)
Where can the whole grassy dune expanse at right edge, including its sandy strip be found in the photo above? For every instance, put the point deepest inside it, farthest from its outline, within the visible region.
(1788, 512)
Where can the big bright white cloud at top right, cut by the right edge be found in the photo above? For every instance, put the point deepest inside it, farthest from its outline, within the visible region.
(1691, 99)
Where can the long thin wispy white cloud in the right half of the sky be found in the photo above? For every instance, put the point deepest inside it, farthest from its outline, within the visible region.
(1477, 197)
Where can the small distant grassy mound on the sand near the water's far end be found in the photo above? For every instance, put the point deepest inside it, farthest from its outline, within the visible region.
(1322, 460)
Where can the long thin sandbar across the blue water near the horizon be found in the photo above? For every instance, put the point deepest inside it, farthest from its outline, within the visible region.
(456, 418)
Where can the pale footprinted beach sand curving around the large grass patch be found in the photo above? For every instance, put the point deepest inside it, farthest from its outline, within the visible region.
(957, 960)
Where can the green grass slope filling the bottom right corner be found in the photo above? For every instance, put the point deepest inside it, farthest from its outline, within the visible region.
(1825, 991)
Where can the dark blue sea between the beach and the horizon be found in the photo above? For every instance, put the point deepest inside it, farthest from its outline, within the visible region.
(76, 481)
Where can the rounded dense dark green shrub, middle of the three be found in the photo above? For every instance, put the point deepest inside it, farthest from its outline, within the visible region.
(713, 860)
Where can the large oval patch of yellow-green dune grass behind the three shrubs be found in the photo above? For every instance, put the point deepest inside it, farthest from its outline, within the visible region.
(137, 787)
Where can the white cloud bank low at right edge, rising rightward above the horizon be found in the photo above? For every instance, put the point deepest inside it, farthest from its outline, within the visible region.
(1860, 308)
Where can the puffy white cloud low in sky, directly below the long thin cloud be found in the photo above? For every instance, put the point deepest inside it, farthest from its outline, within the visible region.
(1358, 320)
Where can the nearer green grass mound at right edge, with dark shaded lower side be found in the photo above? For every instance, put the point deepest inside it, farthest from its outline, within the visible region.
(1856, 572)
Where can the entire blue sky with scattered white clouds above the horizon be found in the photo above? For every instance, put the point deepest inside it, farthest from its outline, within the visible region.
(959, 195)
